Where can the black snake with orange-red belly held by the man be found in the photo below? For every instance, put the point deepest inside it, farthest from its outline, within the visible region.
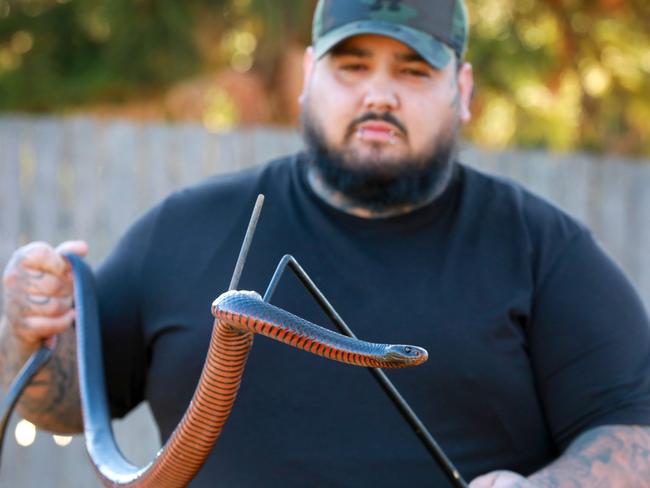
(238, 316)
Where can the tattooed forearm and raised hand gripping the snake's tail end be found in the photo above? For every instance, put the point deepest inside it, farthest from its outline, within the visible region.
(38, 306)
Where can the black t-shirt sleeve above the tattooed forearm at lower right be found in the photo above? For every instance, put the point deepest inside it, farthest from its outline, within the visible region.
(589, 341)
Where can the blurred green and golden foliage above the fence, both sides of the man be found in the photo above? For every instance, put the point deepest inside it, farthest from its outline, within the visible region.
(556, 74)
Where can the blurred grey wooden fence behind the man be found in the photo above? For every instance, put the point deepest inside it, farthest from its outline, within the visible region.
(84, 178)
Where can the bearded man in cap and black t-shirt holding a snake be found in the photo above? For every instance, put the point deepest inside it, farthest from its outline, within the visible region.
(539, 369)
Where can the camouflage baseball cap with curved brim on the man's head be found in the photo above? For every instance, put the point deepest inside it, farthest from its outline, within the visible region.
(435, 29)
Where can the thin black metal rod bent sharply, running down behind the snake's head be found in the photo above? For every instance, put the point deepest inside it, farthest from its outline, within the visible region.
(393, 393)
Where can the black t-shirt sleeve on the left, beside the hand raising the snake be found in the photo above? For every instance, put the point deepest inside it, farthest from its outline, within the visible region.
(120, 283)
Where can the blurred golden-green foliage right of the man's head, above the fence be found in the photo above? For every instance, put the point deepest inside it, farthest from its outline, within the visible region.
(560, 74)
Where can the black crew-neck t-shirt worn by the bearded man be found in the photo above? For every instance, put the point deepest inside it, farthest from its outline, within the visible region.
(533, 334)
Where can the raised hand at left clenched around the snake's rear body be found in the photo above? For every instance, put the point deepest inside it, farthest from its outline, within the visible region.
(38, 292)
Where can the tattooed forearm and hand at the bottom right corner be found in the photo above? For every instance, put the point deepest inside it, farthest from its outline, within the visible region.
(614, 456)
